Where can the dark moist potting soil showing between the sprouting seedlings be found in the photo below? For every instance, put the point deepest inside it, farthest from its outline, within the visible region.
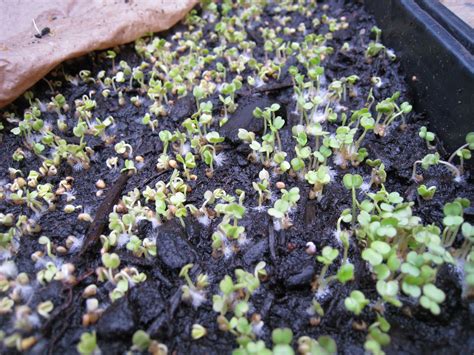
(155, 305)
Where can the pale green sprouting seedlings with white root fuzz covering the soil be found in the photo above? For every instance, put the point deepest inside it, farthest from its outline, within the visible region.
(328, 147)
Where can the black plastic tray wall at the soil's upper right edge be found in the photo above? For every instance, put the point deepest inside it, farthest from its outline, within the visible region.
(436, 52)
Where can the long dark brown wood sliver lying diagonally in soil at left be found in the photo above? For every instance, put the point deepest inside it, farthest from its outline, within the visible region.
(101, 217)
